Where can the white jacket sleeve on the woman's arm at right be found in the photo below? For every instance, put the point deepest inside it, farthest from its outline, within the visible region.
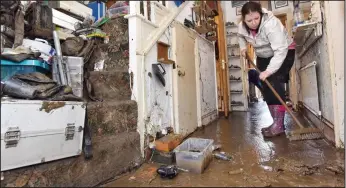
(277, 37)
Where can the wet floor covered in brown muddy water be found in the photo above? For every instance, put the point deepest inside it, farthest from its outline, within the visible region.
(255, 161)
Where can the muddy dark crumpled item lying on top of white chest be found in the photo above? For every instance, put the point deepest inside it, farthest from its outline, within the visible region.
(37, 86)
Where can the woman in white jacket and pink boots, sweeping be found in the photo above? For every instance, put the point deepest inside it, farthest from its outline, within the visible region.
(275, 52)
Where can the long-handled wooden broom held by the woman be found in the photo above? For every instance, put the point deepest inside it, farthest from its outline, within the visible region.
(301, 134)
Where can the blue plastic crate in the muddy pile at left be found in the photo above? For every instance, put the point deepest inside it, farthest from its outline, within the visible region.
(10, 68)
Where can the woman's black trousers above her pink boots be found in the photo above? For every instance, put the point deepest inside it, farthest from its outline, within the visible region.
(278, 79)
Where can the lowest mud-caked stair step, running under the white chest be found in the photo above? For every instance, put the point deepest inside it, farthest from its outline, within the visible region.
(112, 156)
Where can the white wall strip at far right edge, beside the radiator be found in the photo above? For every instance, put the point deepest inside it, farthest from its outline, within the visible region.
(335, 20)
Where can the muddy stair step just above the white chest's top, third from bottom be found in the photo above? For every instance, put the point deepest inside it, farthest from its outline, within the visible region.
(111, 85)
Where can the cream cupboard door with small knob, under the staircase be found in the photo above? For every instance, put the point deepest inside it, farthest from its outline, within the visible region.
(184, 80)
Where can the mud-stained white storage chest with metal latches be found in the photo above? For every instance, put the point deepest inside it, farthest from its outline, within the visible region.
(34, 131)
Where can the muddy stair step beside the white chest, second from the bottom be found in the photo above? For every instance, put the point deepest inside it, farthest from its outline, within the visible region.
(112, 117)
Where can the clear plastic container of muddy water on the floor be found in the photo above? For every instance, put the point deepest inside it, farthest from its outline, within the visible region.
(194, 154)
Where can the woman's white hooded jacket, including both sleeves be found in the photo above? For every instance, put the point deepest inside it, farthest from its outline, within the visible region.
(271, 40)
